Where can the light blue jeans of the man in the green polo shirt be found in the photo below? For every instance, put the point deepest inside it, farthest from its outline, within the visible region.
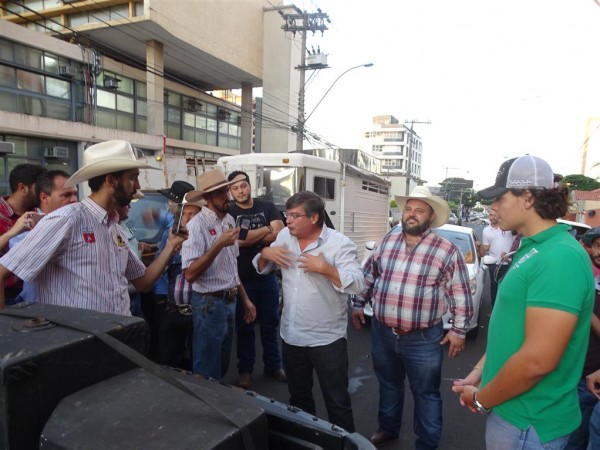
(501, 435)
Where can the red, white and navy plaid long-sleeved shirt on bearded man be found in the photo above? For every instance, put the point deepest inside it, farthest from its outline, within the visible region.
(413, 289)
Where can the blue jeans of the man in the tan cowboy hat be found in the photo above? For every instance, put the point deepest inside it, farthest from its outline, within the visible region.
(214, 320)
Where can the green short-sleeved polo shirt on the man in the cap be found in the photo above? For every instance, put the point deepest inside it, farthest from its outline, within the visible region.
(550, 270)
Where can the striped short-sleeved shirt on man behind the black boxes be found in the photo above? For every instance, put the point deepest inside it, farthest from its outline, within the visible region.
(79, 257)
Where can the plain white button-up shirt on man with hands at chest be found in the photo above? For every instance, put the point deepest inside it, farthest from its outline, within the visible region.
(315, 311)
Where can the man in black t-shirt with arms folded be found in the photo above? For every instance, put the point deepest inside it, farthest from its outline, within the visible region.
(260, 222)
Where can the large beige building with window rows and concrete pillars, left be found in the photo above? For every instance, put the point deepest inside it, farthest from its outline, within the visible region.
(76, 72)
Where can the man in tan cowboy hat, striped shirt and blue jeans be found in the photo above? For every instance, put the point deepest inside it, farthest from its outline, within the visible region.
(209, 261)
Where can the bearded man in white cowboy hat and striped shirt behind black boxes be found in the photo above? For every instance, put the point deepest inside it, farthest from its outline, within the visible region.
(78, 253)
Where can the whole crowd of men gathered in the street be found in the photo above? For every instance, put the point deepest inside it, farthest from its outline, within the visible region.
(214, 283)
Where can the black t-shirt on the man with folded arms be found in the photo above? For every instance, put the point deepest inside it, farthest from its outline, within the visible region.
(260, 215)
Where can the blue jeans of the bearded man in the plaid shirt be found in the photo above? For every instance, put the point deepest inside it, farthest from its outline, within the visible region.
(417, 356)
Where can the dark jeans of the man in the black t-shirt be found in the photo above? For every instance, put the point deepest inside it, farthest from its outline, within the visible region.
(263, 291)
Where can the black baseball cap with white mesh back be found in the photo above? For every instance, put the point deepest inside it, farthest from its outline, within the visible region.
(524, 172)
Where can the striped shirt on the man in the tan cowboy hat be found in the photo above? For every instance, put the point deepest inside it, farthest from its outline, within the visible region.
(204, 229)
